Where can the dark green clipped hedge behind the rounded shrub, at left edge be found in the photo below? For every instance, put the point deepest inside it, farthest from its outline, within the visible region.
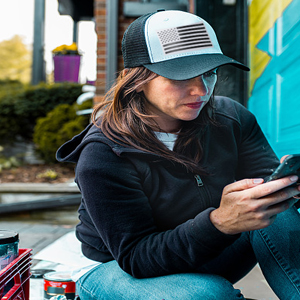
(21, 106)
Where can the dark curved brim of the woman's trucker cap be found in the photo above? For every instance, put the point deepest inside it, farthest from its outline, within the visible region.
(188, 67)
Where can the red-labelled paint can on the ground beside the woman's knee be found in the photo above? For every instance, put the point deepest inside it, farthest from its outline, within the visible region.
(59, 283)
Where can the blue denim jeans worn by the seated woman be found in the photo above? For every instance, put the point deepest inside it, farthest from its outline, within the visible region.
(276, 248)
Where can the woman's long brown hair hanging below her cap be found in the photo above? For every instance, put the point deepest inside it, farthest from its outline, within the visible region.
(122, 117)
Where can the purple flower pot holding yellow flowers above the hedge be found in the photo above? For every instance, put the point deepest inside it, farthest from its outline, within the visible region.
(66, 68)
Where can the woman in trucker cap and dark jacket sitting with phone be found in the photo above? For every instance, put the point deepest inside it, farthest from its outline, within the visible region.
(173, 200)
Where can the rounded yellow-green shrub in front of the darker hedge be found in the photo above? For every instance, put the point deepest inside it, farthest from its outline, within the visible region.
(60, 125)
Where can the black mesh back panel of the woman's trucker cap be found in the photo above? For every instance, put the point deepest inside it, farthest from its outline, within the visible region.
(134, 48)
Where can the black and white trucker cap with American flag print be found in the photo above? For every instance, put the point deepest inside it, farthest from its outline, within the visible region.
(173, 44)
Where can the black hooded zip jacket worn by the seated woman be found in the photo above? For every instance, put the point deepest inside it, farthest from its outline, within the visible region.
(150, 214)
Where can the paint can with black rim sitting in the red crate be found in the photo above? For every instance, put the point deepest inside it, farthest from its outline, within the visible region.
(9, 247)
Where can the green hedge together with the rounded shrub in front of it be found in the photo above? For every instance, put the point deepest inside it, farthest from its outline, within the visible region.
(44, 115)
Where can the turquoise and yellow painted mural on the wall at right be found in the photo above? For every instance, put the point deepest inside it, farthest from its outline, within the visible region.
(274, 41)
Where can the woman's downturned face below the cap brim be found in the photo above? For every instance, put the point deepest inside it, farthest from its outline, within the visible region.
(173, 101)
